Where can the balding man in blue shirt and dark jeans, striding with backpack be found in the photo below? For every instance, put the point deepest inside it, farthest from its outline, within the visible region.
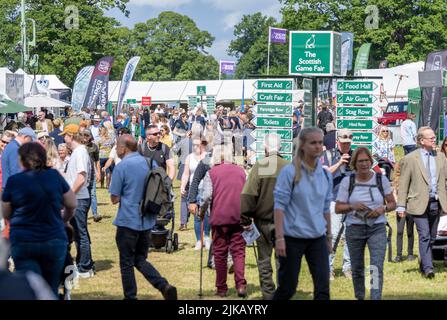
(133, 231)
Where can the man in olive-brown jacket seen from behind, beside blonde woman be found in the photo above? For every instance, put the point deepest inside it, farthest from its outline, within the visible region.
(257, 203)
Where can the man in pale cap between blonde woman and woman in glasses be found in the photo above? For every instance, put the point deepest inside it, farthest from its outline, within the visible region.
(337, 160)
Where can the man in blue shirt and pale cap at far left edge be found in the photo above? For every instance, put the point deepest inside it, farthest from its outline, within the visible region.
(10, 157)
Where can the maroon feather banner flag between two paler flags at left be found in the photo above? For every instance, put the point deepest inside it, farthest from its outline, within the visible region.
(98, 82)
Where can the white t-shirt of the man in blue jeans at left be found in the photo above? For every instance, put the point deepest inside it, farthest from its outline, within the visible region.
(79, 162)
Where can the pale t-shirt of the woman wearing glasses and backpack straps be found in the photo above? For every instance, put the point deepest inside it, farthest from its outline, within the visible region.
(363, 195)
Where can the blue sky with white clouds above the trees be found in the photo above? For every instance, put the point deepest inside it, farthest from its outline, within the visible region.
(218, 17)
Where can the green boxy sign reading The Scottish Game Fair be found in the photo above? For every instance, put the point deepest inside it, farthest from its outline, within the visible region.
(315, 53)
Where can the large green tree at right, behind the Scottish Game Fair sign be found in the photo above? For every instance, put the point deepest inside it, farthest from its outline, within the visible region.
(407, 30)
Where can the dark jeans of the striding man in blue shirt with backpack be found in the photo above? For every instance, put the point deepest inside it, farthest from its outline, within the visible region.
(133, 247)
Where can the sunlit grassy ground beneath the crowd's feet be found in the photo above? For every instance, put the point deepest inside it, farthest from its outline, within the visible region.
(182, 269)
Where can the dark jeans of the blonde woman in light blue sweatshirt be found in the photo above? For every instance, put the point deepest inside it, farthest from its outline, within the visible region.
(316, 253)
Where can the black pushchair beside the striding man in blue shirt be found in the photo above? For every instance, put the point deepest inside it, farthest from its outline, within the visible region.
(162, 237)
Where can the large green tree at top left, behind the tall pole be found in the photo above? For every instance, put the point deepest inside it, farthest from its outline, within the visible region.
(63, 48)
